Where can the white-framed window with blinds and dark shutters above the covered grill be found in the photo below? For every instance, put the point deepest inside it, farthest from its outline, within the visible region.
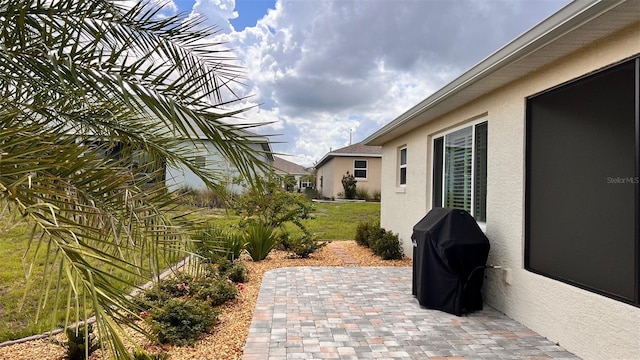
(460, 170)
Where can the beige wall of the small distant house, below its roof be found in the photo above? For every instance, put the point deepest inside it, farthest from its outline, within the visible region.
(333, 170)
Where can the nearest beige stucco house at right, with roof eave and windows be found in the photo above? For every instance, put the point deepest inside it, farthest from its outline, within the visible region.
(540, 142)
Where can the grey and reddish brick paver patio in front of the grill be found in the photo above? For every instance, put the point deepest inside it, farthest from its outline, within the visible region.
(369, 313)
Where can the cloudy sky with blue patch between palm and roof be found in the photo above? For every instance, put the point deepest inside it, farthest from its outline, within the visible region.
(324, 74)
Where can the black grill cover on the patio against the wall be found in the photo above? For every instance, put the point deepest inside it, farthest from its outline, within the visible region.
(449, 255)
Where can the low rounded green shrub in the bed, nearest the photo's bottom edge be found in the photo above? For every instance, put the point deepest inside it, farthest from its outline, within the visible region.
(182, 322)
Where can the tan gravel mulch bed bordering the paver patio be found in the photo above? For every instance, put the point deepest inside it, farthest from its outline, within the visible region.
(227, 339)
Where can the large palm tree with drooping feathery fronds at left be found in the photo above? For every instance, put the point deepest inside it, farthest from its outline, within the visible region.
(85, 87)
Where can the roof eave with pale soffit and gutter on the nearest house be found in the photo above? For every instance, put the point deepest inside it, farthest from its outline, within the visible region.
(580, 23)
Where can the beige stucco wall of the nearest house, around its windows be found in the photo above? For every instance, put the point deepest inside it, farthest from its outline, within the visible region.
(590, 325)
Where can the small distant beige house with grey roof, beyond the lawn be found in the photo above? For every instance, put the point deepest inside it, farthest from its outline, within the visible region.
(360, 160)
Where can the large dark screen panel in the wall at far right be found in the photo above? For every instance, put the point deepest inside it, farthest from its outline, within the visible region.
(582, 183)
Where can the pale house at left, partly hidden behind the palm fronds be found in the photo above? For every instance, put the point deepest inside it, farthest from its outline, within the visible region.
(211, 158)
